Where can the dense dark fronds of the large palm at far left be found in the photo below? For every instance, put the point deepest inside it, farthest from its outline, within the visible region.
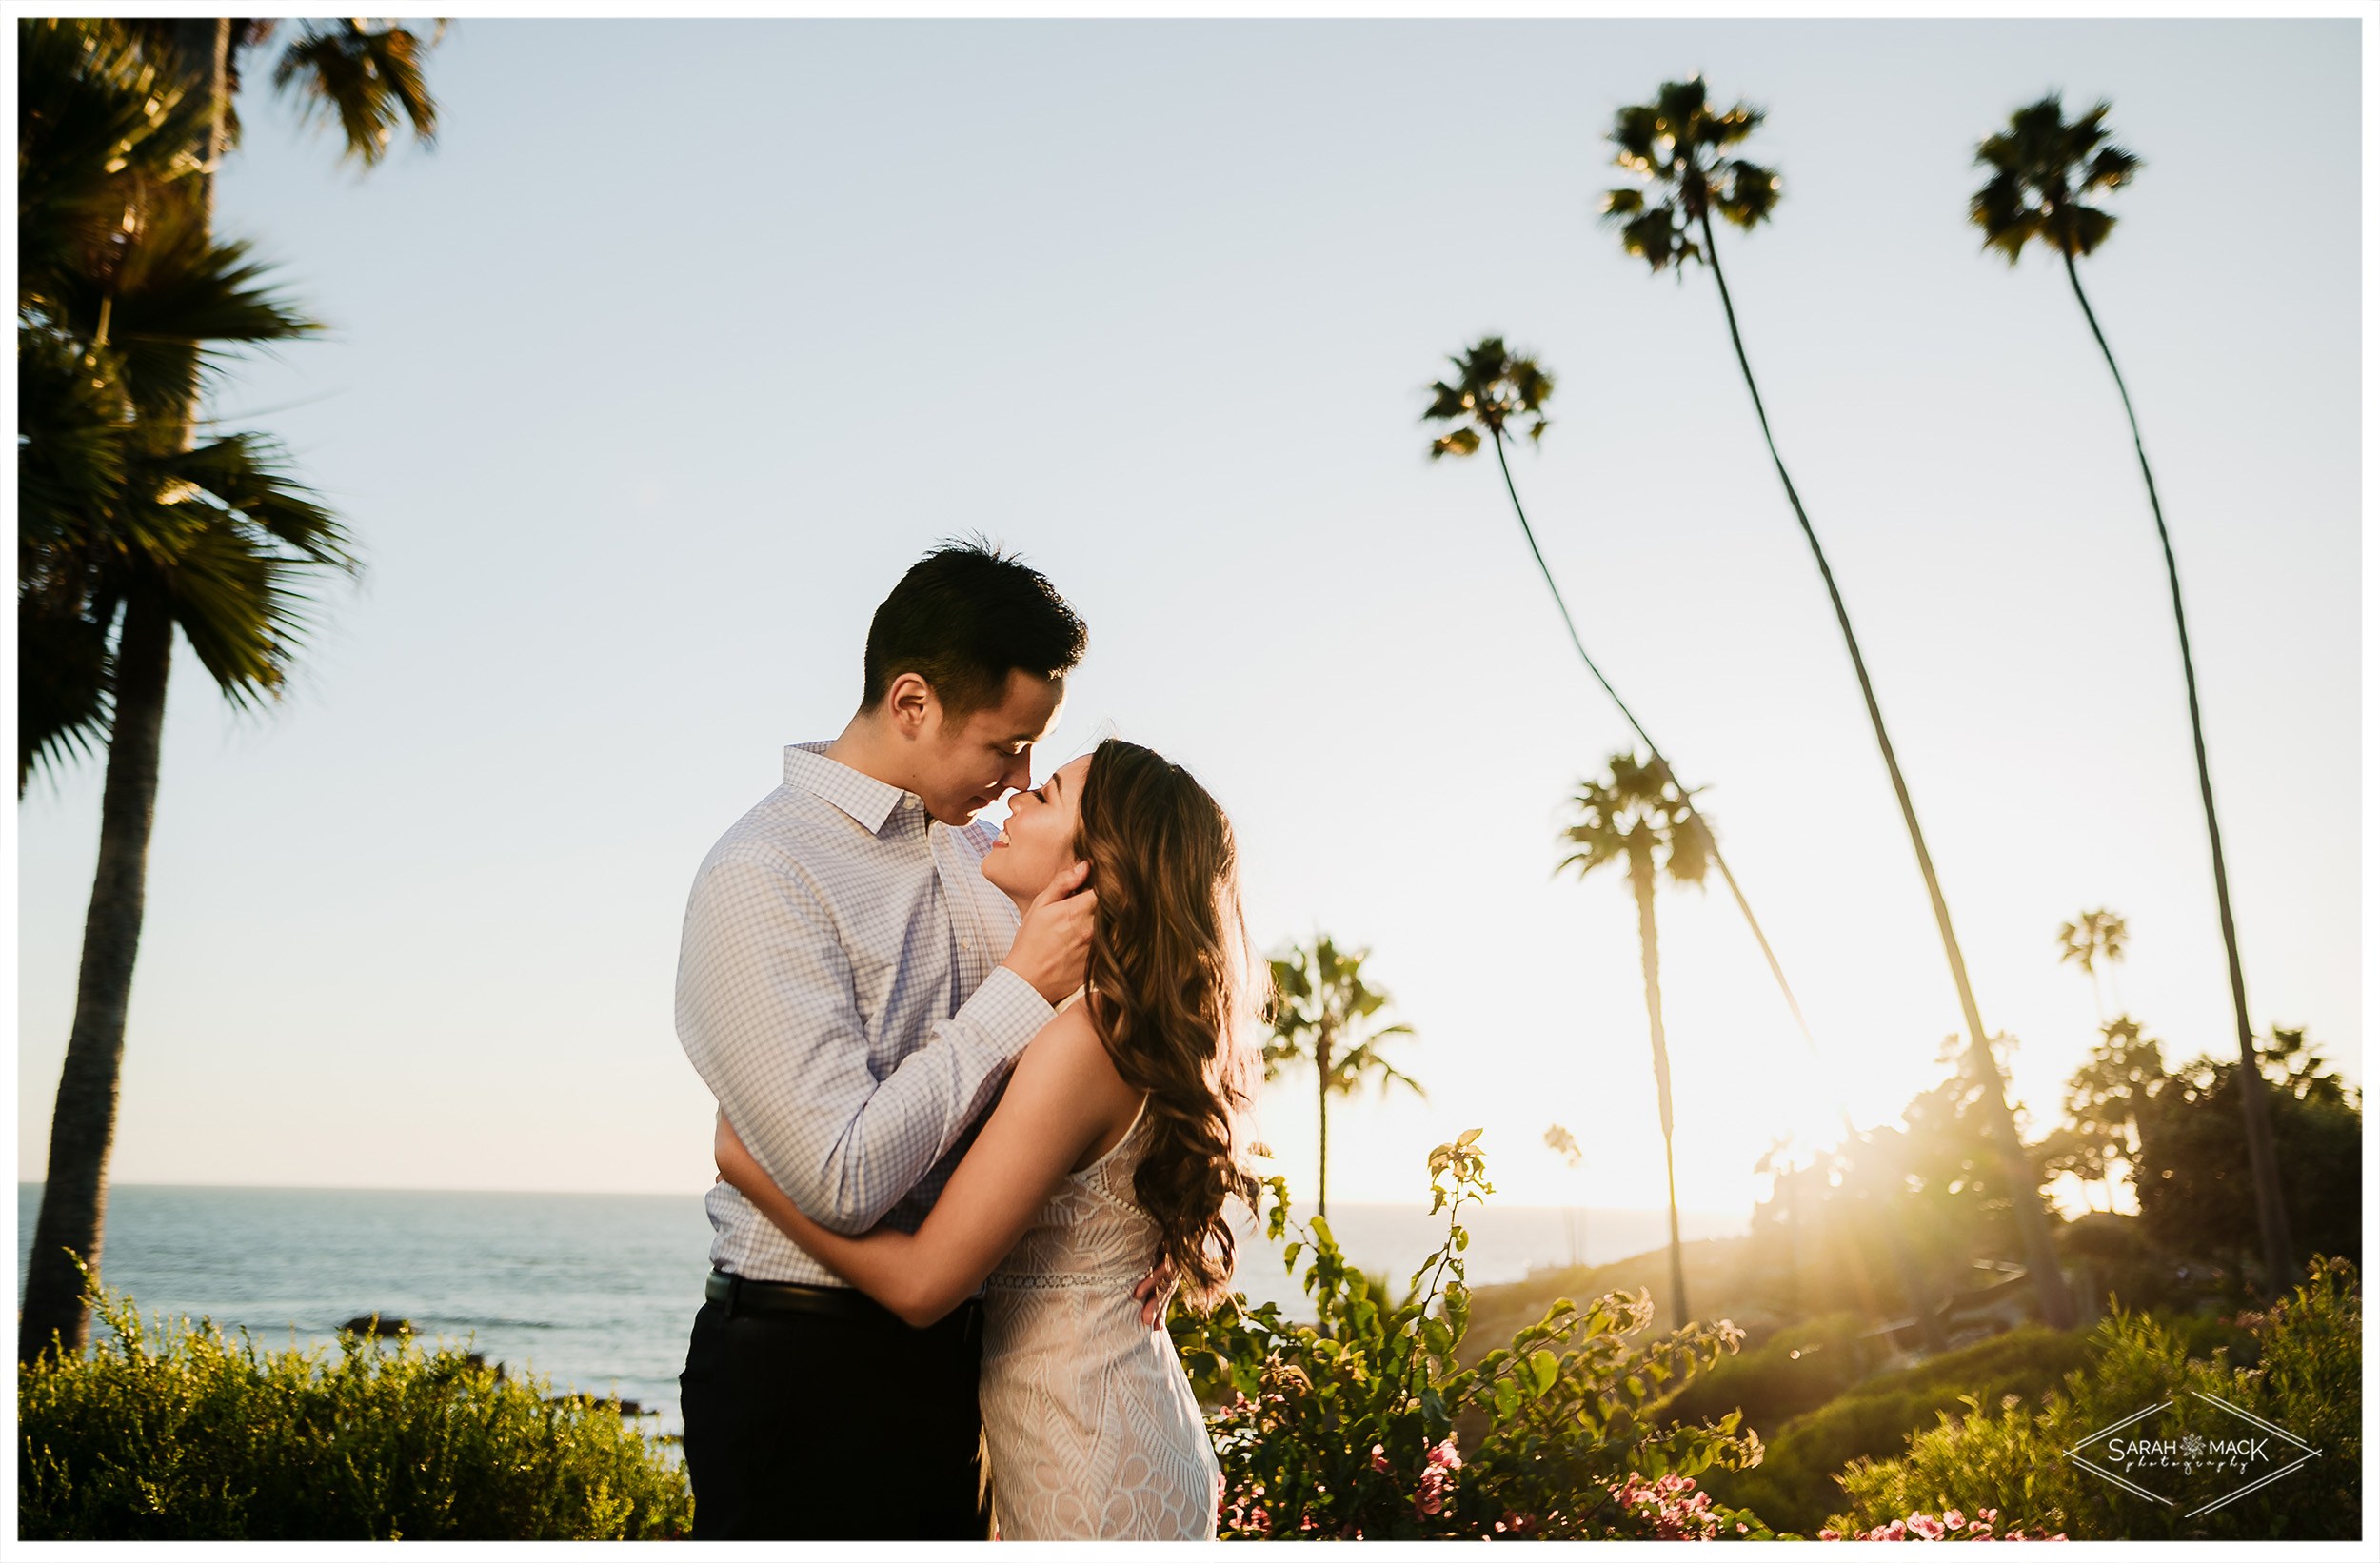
(125, 313)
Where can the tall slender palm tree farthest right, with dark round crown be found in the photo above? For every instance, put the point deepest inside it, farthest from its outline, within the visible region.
(2046, 175)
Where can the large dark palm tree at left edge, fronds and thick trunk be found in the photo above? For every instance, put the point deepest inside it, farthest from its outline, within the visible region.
(132, 527)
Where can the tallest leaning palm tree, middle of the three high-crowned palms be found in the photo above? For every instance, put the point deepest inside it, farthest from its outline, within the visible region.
(1681, 153)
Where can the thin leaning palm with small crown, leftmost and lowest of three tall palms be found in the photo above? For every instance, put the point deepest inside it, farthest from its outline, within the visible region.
(1496, 389)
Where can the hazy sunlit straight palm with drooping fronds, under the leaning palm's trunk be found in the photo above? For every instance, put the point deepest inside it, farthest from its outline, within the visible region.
(1636, 815)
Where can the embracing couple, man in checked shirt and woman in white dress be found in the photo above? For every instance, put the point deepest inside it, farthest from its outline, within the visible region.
(977, 1105)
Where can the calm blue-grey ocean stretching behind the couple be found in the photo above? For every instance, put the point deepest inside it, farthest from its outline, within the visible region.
(599, 1291)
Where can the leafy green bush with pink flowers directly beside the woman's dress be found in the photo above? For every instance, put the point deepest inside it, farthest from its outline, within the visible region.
(1365, 1426)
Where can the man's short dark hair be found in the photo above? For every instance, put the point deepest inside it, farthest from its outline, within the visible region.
(960, 620)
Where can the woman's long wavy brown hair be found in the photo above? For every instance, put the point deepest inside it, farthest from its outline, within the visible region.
(1170, 991)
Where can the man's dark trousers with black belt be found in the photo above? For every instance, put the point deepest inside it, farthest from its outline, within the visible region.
(834, 1429)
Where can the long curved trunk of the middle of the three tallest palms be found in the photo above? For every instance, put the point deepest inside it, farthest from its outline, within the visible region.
(2031, 1222)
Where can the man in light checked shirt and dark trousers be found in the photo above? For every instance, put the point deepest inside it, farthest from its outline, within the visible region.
(853, 993)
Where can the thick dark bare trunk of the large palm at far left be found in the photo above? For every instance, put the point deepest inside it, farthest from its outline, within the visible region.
(84, 1122)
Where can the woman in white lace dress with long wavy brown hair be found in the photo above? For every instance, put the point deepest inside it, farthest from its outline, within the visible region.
(1113, 1141)
